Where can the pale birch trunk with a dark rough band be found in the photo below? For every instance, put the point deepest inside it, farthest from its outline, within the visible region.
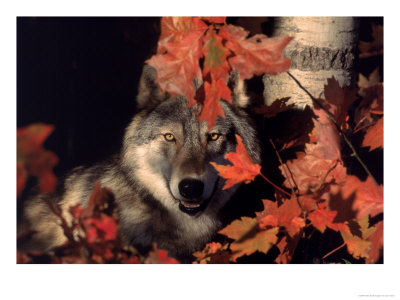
(322, 47)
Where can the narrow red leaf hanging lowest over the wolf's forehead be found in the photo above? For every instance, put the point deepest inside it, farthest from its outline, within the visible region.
(212, 108)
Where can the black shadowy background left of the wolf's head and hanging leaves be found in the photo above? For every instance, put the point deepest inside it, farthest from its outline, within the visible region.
(81, 75)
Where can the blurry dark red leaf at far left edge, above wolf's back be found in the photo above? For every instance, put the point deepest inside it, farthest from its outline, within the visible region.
(33, 159)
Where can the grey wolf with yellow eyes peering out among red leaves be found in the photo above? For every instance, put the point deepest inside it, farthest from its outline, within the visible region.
(166, 190)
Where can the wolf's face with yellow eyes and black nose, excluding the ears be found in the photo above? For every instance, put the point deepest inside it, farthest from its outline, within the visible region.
(172, 155)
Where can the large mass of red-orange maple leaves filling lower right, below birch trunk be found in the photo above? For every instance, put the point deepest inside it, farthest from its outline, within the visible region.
(320, 192)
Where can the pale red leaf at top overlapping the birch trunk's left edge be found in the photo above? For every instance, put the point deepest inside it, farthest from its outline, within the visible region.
(256, 55)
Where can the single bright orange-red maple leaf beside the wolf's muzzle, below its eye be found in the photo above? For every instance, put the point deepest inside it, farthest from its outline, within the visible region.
(243, 168)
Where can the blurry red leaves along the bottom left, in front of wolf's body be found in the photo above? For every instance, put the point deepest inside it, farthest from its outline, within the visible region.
(92, 236)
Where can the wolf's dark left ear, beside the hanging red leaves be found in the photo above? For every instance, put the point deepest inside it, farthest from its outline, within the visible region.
(149, 93)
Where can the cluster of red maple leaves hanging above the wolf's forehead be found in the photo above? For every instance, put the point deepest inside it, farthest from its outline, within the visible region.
(186, 42)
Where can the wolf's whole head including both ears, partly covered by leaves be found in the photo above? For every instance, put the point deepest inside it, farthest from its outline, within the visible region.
(167, 151)
